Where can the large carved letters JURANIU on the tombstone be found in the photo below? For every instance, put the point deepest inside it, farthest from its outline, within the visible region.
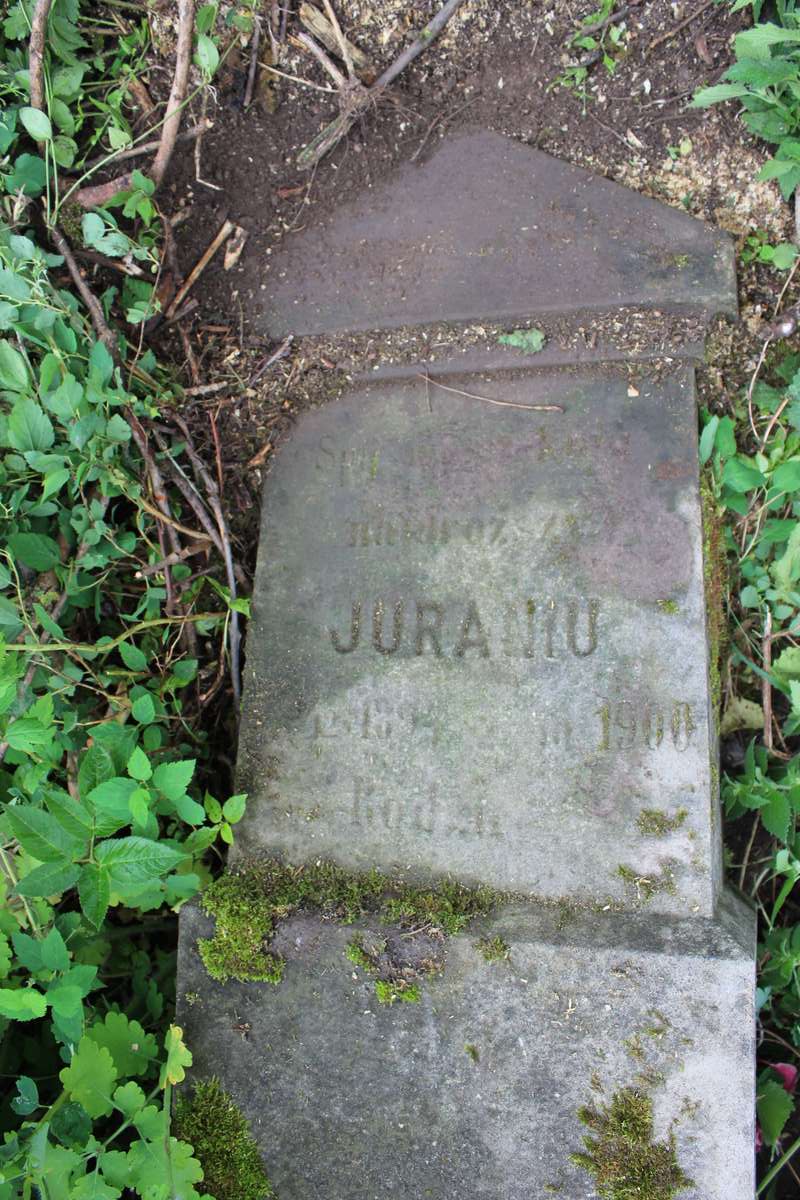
(549, 627)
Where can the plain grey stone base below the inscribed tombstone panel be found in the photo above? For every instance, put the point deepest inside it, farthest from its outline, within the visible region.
(474, 1093)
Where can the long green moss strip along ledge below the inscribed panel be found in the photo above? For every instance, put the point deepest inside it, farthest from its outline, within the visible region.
(249, 905)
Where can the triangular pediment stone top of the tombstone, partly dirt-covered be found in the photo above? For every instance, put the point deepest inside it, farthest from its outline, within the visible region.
(490, 229)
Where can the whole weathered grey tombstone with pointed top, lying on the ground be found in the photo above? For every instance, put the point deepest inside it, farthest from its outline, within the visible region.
(479, 651)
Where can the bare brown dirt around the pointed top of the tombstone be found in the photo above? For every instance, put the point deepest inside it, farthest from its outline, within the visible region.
(497, 68)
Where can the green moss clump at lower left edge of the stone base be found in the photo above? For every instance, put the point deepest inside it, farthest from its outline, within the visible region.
(222, 1143)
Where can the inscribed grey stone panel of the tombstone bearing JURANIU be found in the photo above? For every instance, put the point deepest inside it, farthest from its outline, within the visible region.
(478, 643)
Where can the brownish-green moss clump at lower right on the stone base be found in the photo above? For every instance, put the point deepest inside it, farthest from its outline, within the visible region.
(622, 1156)
